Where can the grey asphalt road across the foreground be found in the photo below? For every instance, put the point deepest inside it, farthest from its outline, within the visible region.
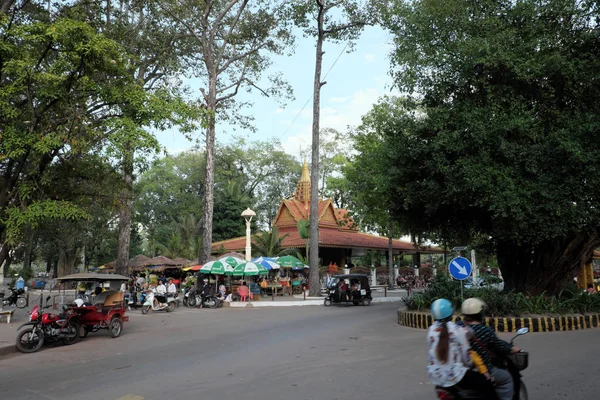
(299, 353)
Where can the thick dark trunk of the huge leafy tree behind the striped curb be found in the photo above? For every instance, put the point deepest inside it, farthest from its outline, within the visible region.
(548, 267)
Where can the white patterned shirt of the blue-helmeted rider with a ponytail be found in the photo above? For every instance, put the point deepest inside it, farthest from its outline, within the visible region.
(459, 360)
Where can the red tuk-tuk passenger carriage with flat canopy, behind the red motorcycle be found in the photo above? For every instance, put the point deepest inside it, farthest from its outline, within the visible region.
(105, 310)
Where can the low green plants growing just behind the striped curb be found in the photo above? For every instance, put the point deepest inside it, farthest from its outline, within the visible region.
(506, 304)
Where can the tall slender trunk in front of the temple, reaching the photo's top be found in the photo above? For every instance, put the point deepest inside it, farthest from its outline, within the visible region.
(315, 281)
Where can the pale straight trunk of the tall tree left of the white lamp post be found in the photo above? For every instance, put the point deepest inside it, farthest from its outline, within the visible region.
(207, 217)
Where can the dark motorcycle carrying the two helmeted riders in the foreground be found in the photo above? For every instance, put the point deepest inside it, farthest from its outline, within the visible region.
(515, 363)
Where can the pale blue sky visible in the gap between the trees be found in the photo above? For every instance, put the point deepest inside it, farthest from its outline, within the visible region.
(355, 82)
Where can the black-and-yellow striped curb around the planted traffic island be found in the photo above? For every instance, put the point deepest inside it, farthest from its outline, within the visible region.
(421, 320)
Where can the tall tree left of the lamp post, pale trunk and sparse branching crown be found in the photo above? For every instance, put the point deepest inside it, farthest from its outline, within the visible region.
(236, 38)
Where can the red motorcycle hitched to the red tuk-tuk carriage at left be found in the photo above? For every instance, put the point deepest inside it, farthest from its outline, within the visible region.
(47, 327)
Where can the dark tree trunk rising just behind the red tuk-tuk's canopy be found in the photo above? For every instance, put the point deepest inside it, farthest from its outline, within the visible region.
(125, 213)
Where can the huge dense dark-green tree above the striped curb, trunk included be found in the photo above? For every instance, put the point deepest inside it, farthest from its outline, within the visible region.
(507, 143)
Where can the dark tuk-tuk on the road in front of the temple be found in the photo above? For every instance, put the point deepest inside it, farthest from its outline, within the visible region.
(351, 288)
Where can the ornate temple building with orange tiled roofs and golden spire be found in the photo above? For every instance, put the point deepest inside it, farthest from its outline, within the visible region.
(339, 236)
